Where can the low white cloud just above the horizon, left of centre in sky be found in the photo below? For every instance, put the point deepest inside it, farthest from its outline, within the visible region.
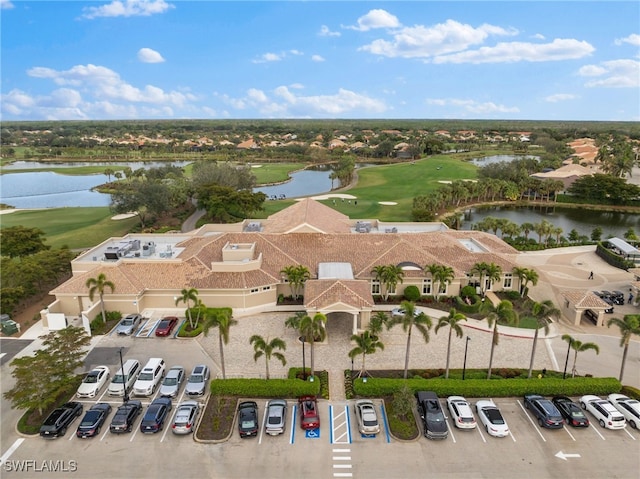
(286, 103)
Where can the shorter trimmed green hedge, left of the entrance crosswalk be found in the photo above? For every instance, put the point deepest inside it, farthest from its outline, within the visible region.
(271, 388)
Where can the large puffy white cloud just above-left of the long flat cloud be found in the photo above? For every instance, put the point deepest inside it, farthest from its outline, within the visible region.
(424, 42)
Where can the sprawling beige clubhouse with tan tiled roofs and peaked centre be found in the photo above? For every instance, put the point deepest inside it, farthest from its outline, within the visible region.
(240, 265)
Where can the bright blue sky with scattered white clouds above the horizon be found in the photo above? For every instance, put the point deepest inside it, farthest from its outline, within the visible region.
(162, 59)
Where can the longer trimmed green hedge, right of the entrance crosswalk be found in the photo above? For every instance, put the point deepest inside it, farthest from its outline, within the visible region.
(378, 387)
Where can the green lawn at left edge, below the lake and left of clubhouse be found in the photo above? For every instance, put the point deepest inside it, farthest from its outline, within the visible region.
(76, 228)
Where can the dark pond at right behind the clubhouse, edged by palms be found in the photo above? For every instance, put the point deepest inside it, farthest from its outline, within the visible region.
(583, 221)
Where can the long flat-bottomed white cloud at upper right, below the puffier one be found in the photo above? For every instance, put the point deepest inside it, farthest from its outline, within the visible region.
(510, 52)
